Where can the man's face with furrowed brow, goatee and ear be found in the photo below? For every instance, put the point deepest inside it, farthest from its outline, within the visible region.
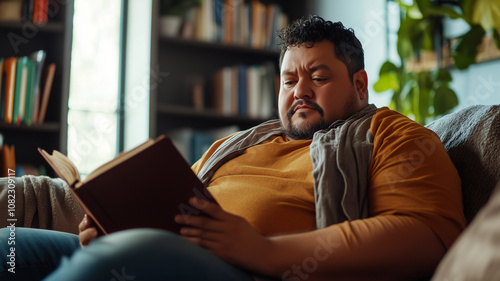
(315, 90)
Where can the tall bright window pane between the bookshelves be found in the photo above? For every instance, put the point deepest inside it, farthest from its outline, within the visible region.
(94, 84)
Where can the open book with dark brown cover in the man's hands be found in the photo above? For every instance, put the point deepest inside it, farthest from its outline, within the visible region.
(144, 187)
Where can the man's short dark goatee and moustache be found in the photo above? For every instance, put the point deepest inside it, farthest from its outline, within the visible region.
(307, 131)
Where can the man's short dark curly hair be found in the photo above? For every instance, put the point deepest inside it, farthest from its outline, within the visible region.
(311, 29)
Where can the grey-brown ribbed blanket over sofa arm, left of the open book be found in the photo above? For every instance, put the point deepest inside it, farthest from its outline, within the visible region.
(40, 202)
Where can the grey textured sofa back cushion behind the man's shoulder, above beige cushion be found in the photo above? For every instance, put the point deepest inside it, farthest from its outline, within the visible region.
(472, 138)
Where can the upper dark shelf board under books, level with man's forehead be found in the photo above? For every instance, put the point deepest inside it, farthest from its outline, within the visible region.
(217, 46)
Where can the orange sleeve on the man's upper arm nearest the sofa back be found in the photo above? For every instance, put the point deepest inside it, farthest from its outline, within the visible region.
(412, 175)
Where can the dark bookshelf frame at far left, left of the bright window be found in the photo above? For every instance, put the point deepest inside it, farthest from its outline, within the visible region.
(55, 37)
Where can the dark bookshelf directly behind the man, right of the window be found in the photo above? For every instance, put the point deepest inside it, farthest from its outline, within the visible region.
(186, 60)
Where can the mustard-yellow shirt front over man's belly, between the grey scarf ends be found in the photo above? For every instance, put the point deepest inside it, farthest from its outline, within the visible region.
(270, 185)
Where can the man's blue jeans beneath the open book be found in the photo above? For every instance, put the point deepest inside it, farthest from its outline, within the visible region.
(140, 254)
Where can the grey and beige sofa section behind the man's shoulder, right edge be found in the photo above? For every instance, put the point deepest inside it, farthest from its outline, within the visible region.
(471, 137)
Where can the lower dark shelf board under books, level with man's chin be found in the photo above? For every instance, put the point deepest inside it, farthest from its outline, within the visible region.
(188, 112)
